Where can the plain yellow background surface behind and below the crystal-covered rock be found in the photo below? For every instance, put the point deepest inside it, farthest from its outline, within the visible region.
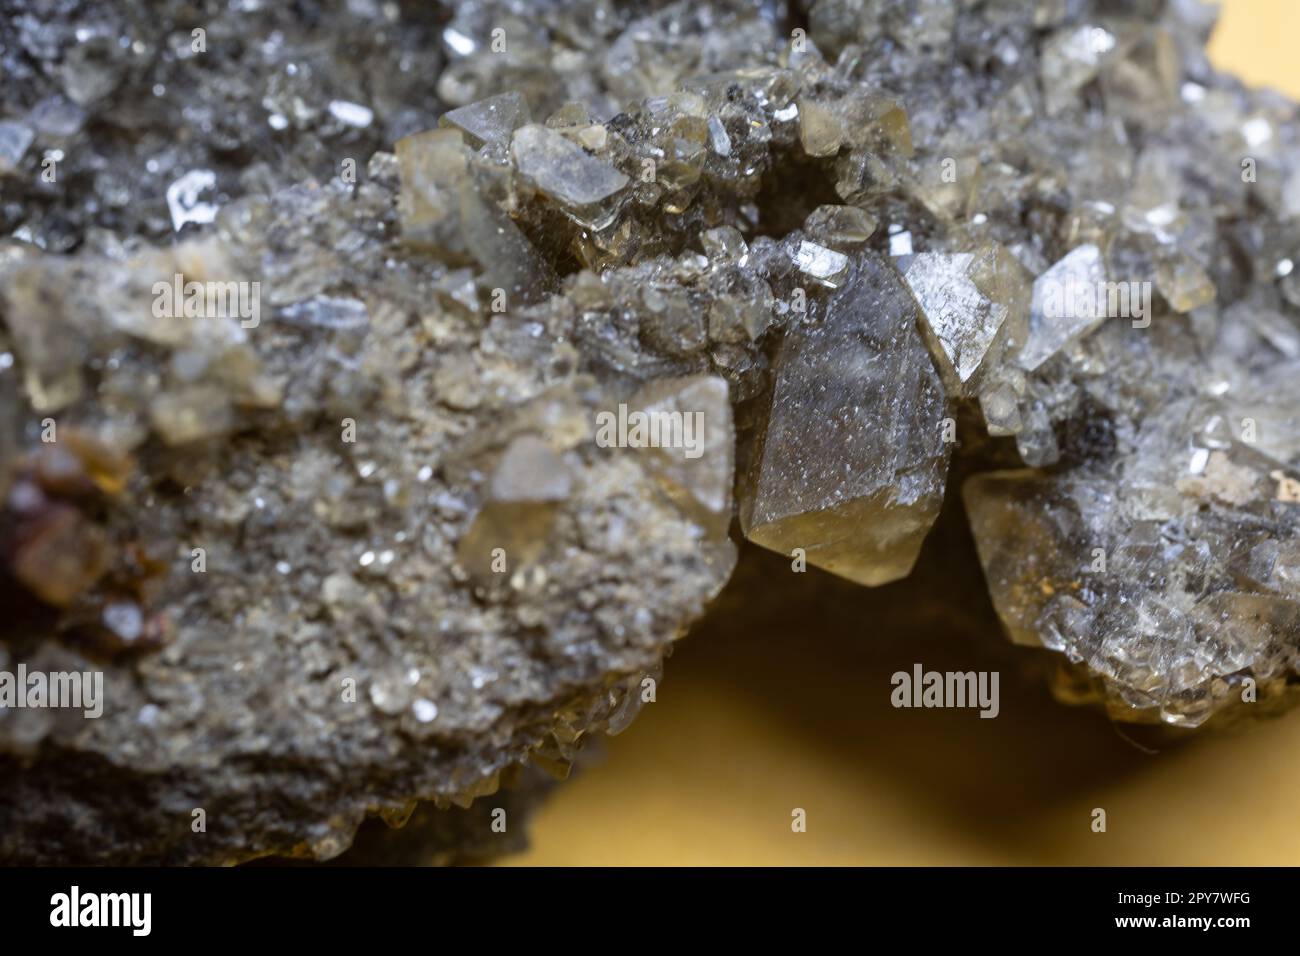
(785, 706)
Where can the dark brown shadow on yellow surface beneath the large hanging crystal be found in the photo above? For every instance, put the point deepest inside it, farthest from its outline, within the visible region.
(820, 652)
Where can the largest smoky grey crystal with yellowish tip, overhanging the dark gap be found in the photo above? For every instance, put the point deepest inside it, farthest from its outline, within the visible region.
(852, 461)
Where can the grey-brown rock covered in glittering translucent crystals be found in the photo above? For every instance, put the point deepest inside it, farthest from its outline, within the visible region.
(337, 527)
